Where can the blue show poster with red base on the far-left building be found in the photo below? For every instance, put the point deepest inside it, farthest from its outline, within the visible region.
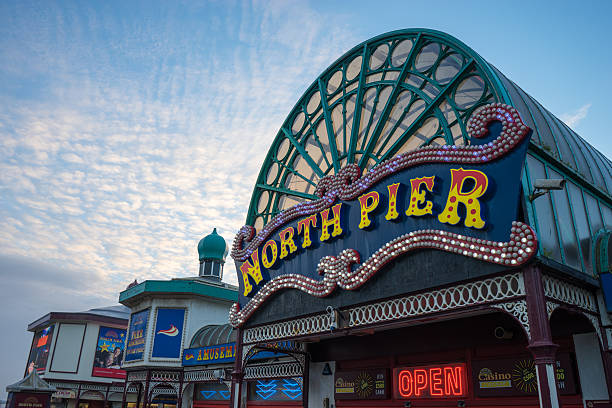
(109, 353)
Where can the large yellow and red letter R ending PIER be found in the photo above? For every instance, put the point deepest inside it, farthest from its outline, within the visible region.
(469, 199)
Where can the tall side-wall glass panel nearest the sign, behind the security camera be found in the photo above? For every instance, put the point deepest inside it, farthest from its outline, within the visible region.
(547, 228)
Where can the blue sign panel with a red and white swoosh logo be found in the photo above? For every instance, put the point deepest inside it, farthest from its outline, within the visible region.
(168, 333)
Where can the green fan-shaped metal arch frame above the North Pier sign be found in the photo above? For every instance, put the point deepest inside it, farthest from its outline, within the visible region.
(301, 169)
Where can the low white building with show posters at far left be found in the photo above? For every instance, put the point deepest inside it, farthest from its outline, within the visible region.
(80, 353)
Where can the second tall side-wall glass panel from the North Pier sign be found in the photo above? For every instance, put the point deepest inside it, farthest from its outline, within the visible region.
(565, 224)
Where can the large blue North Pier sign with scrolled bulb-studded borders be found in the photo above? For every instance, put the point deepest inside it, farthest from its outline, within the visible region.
(457, 199)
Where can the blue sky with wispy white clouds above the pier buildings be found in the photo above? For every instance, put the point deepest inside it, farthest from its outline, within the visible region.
(130, 129)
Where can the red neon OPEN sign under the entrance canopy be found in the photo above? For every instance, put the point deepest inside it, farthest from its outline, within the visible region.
(436, 381)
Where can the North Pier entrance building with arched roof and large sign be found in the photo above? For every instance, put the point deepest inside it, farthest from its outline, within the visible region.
(424, 233)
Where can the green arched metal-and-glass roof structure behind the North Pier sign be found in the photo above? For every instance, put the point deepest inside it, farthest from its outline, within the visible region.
(405, 89)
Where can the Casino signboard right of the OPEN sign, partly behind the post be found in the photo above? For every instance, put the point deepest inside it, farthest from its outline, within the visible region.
(517, 377)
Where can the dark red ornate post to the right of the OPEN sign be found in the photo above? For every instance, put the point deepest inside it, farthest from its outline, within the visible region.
(540, 344)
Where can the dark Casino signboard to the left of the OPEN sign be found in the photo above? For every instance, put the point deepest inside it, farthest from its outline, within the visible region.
(362, 385)
